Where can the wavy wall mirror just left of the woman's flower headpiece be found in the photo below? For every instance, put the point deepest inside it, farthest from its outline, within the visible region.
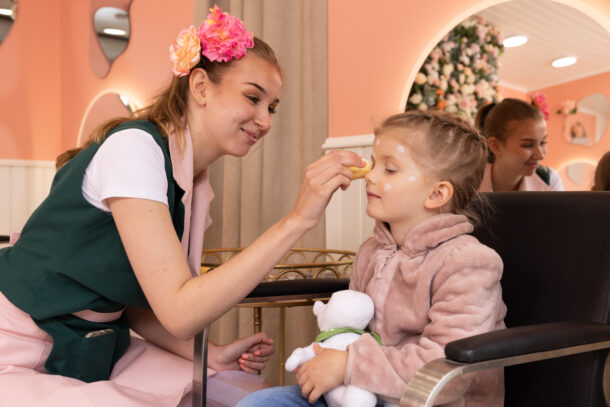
(112, 30)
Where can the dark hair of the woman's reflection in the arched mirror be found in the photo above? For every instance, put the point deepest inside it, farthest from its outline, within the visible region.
(496, 119)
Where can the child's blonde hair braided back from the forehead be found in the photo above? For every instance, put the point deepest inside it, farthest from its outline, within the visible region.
(447, 148)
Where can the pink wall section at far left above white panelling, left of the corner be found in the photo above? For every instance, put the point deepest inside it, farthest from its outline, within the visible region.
(30, 89)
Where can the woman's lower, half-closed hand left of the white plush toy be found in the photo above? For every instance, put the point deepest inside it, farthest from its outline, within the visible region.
(248, 354)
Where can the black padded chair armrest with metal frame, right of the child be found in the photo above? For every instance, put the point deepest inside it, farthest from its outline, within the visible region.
(525, 339)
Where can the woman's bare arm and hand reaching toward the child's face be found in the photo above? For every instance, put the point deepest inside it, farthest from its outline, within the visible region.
(185, 305)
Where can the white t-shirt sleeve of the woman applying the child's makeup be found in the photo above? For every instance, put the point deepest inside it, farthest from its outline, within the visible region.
(130, 164)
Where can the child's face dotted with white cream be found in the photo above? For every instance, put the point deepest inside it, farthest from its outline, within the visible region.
(396, 186)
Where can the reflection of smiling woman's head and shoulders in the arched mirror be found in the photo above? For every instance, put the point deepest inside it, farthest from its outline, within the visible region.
(516, 133)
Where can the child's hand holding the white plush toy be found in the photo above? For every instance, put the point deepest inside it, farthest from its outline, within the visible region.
(322, 373)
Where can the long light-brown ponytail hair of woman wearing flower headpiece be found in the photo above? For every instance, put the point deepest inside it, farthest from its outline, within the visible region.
(168, 108)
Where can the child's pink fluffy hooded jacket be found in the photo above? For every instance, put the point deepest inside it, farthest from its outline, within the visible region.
(439, 285)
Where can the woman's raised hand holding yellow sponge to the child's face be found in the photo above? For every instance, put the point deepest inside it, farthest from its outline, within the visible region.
(322, 178)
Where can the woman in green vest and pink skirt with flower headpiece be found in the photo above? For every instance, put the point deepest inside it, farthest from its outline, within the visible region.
(117, 243)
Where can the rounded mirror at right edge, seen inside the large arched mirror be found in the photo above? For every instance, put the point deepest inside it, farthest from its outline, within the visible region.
(587, 126)
